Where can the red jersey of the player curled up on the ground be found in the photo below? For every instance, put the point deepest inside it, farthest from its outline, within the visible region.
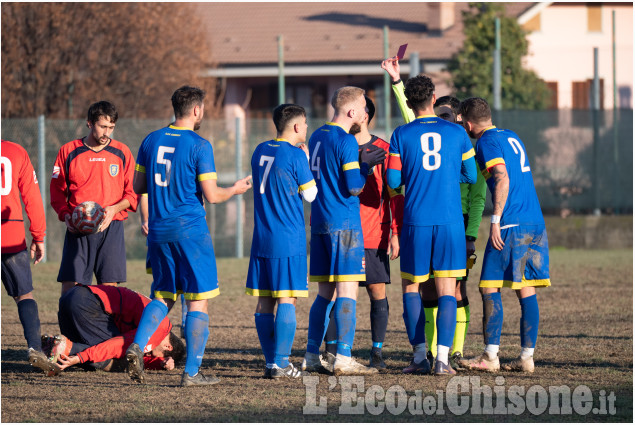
(126, 307)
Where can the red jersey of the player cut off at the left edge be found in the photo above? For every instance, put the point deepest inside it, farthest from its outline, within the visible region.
(19, 181)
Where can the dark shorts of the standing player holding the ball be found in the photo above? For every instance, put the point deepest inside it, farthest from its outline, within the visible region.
(102, 253)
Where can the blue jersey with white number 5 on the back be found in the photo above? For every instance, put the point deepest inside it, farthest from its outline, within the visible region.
(174, 160)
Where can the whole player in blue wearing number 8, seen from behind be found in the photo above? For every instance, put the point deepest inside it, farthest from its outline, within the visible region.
(430, 156)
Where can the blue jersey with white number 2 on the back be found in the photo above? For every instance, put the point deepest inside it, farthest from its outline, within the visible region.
(498, 146)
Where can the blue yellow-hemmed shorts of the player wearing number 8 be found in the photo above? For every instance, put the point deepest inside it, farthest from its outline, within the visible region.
(425, 248)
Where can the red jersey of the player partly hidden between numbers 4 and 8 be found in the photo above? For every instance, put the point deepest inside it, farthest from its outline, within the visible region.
(381, 208)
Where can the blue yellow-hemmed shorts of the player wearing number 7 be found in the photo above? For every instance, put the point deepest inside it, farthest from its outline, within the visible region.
(277, 277)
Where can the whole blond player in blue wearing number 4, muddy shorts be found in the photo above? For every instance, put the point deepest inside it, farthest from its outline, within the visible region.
(337, 243)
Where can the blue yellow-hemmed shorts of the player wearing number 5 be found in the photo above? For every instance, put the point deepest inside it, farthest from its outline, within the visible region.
(185, 267)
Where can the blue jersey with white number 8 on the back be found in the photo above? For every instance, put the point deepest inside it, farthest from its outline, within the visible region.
(431, 151)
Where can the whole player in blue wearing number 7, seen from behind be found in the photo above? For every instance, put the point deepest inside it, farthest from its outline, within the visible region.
(277, 267)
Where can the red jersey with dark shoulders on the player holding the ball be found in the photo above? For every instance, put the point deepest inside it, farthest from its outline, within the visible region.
(81, 174)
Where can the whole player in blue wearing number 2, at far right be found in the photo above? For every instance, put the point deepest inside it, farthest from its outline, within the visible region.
(517, 253)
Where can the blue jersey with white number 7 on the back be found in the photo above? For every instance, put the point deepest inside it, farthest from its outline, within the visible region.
(280, 172)
